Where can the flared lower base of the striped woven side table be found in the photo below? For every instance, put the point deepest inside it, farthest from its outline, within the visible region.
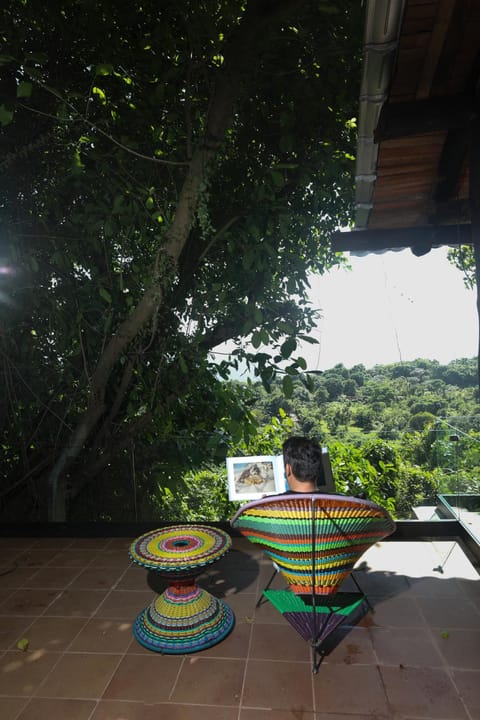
(183, 619)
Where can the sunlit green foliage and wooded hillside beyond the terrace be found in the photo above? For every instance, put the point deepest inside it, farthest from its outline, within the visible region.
(397, 434)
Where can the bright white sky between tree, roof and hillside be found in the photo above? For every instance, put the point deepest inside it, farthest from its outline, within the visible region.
(390, 308)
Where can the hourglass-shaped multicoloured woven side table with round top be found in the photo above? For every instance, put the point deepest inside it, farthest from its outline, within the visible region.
(184, 618)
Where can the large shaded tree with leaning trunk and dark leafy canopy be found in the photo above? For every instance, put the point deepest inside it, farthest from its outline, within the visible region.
(170, 174)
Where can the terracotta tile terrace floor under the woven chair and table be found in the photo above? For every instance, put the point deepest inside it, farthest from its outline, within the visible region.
(415, 655)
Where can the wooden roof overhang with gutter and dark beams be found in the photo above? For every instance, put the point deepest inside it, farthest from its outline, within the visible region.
(418, 122)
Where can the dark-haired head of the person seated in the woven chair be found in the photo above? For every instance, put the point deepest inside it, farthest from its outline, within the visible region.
(302, 458)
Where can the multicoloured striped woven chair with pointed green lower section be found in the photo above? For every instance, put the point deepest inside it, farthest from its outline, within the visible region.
(314, 540)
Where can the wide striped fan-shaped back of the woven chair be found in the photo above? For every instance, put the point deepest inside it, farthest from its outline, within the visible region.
(315, 539)
